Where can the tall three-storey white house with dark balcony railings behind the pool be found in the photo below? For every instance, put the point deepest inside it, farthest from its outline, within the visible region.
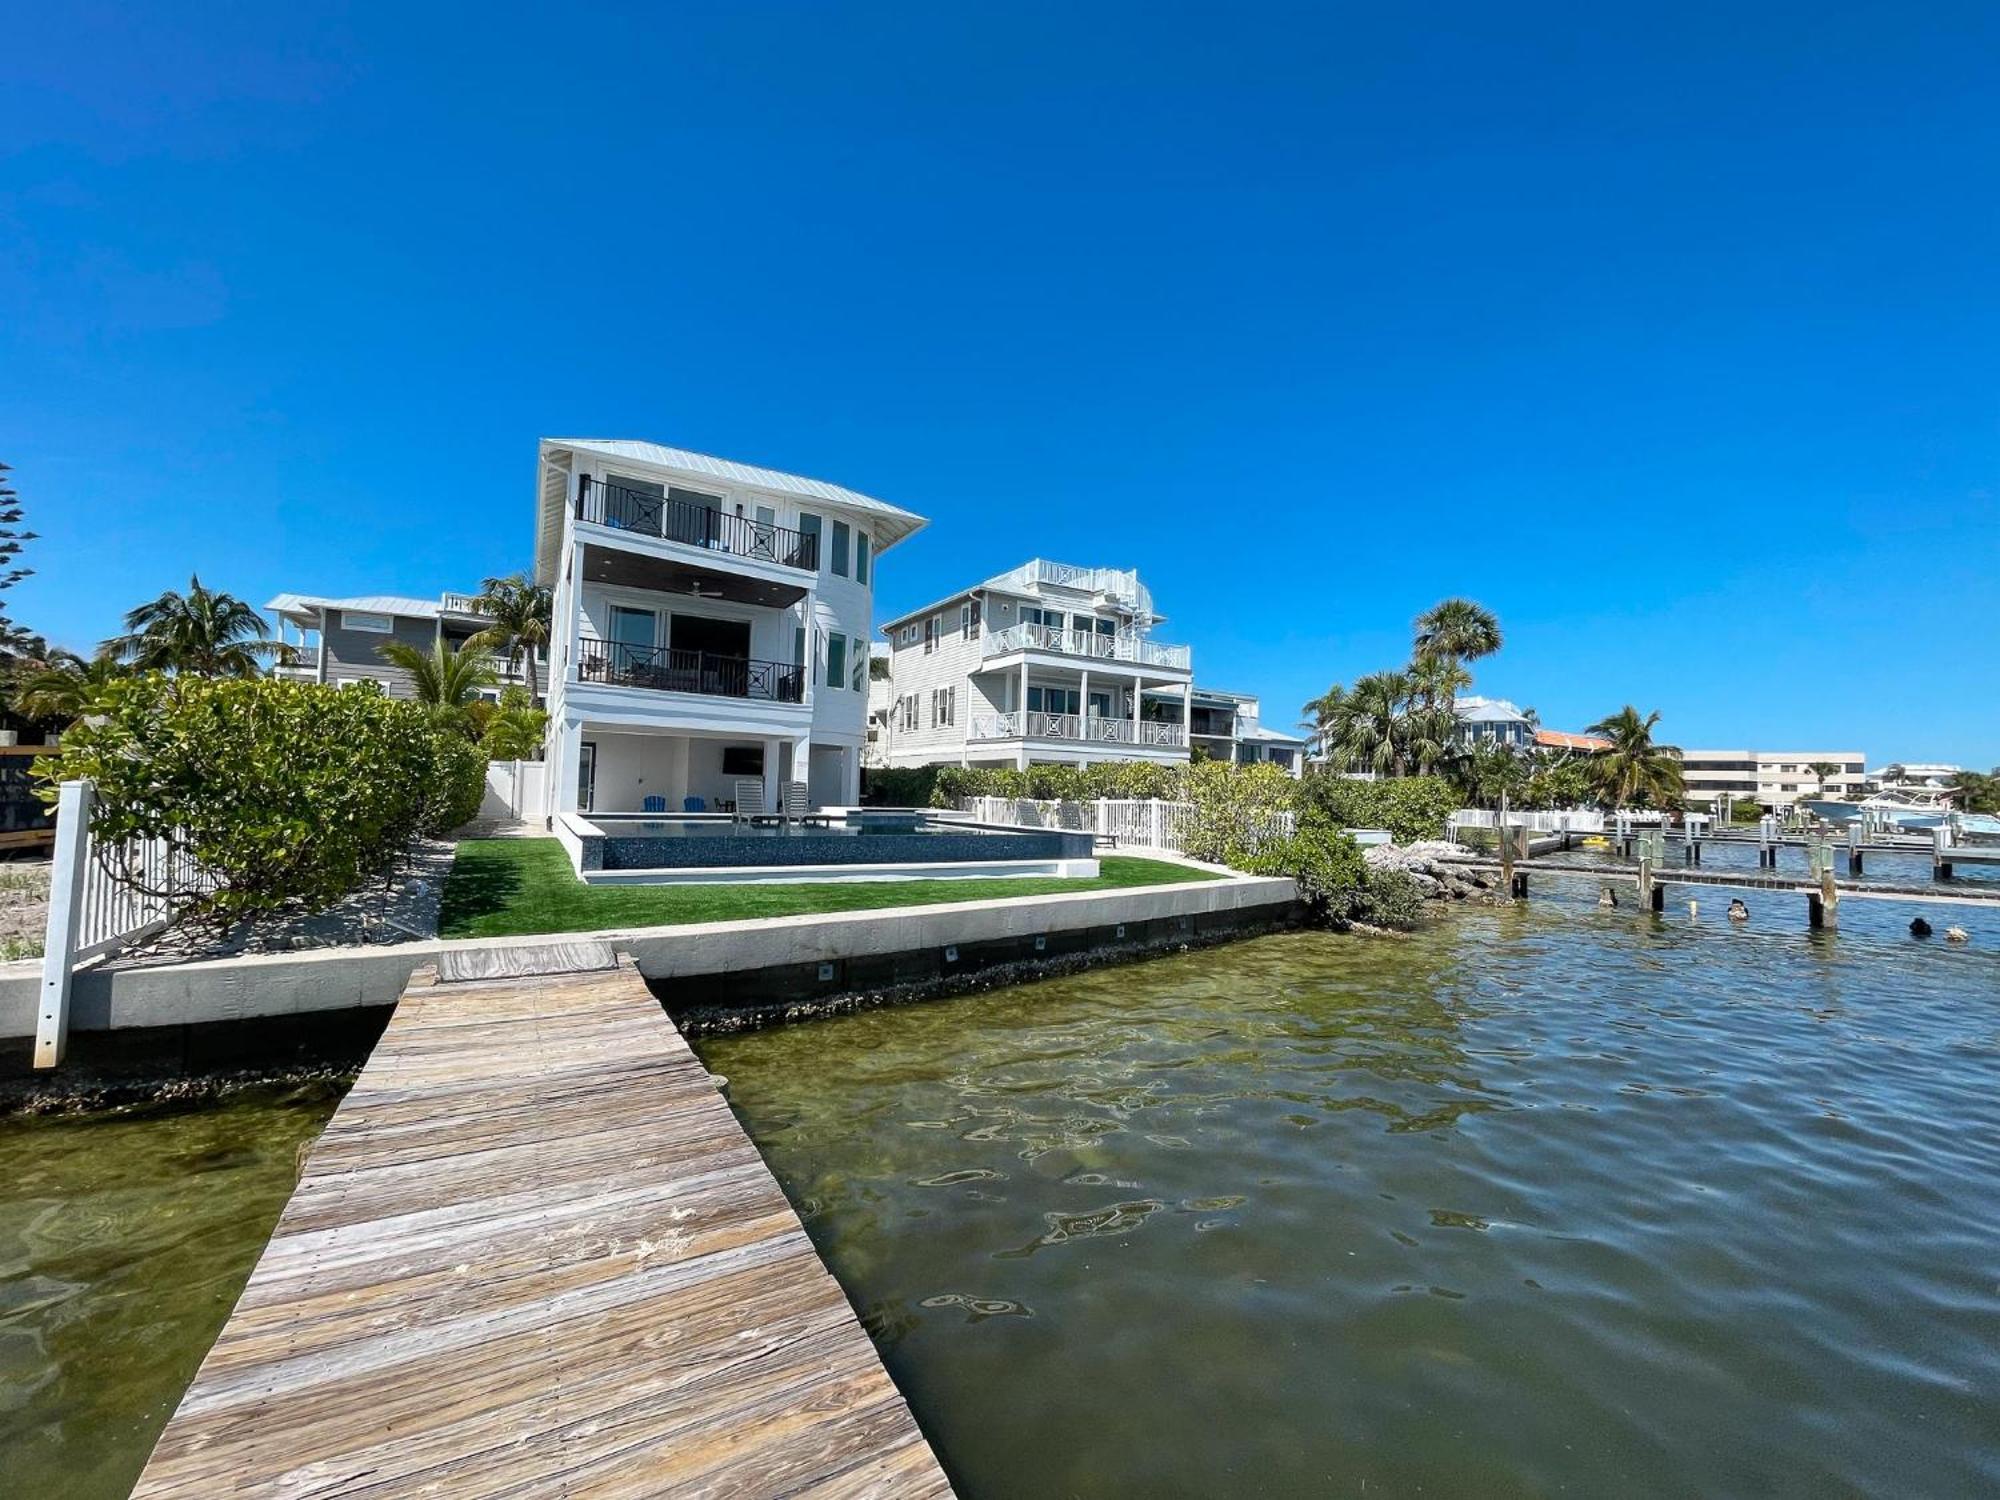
(711, 623)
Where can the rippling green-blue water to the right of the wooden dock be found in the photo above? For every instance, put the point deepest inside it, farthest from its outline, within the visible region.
(1541, 1201)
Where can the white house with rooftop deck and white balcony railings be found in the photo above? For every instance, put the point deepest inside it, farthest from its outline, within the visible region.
(1043, 665)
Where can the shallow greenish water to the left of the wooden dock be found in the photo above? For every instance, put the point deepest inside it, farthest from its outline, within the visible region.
(125, 1241)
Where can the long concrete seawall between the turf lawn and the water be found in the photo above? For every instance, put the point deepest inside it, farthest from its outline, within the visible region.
(707, 963)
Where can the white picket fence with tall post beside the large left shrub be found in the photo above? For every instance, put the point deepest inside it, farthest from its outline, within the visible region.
(99, 901)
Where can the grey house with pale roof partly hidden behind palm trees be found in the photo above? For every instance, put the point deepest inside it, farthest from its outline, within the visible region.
(341, 639)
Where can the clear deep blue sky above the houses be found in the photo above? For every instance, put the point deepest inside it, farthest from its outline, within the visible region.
(1671, 339)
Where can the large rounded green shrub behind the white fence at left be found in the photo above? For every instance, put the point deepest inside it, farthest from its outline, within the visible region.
(289, 795)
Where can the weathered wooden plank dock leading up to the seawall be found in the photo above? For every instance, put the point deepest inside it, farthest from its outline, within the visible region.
(535, 1255)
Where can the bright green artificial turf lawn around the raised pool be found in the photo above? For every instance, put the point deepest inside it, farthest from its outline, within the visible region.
(505, 887)
